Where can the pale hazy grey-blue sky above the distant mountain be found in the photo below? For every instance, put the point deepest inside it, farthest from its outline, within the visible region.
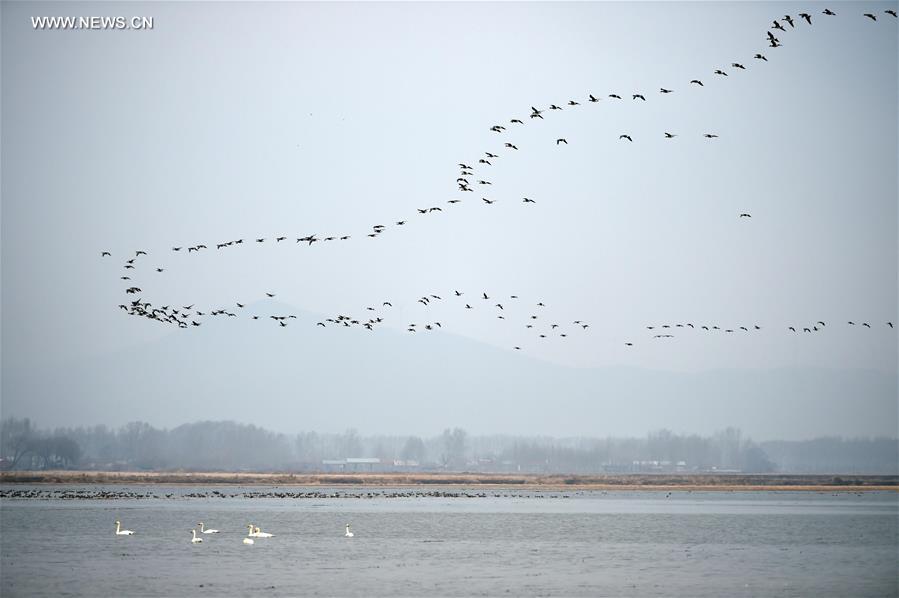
(244, 120)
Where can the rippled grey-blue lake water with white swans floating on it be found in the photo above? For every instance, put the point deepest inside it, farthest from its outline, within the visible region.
(515, 543)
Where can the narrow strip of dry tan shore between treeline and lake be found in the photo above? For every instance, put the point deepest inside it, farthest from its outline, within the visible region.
(699, 482)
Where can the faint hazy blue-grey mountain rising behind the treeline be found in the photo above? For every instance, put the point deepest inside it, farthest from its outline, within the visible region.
(305, 377)
